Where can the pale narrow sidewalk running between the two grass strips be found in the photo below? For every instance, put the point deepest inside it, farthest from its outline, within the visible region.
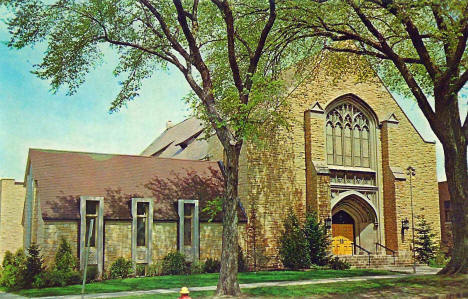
(420, 271)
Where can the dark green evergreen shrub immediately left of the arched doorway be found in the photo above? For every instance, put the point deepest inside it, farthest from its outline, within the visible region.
(317, 237)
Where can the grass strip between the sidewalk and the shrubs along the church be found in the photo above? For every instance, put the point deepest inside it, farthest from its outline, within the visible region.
(176, 281)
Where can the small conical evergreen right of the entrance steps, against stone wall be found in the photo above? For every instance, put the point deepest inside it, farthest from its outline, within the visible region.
(425, 246)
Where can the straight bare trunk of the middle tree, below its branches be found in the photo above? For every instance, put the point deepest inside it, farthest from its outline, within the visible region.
(228, 284)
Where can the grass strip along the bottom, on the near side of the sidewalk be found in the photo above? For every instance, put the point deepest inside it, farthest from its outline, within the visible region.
(428, 285)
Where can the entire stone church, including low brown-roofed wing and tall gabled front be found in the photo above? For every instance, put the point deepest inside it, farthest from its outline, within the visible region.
(345, 157)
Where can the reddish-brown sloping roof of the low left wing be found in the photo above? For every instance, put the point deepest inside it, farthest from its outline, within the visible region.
(63, 176)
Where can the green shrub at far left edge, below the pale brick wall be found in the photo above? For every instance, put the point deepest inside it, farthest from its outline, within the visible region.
(14, 271)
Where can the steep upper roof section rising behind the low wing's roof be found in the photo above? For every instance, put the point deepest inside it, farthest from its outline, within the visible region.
(180, 141)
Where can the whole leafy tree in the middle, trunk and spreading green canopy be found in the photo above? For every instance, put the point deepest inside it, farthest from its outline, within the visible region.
(217, 45)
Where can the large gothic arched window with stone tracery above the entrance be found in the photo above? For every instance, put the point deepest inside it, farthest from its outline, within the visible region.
(348, 137)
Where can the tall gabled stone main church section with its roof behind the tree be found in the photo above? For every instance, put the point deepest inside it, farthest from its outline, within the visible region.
(344, 157)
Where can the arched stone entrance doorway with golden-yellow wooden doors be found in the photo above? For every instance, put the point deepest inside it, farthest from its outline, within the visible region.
(354, 220)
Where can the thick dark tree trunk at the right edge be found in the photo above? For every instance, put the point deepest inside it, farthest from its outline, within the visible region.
(454, 143)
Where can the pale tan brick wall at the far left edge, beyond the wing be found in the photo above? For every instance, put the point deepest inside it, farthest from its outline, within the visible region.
(12, 196)
